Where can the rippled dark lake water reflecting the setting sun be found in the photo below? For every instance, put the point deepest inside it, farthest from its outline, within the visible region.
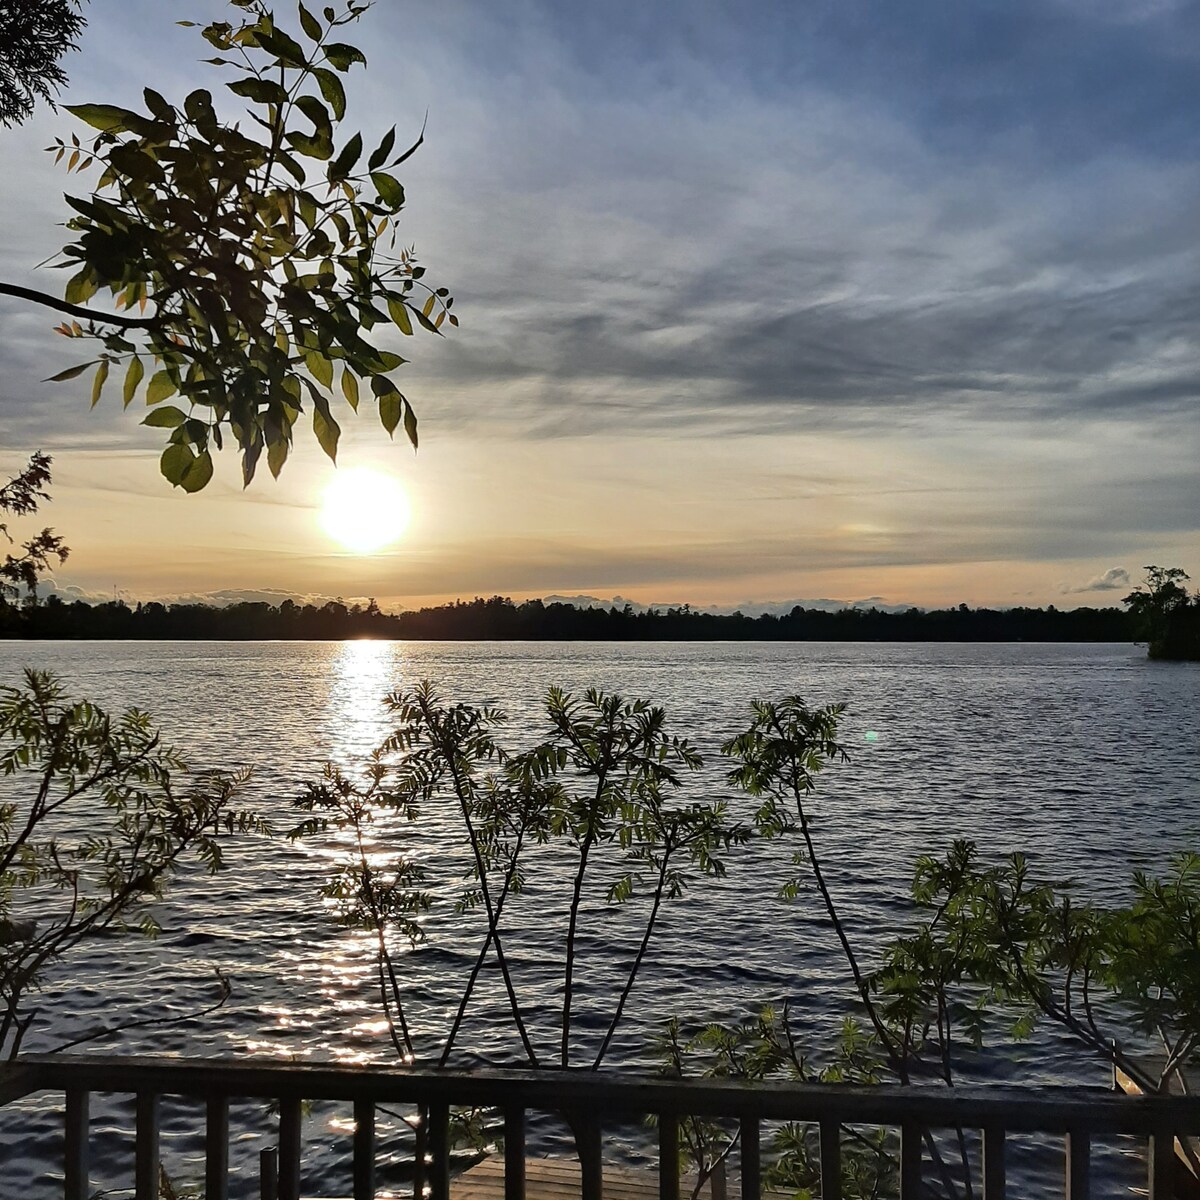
(1088, 758)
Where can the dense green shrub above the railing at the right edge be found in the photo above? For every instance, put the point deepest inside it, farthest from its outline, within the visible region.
(1000, 939)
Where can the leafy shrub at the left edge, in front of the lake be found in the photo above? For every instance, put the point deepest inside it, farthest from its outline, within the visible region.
(100, 818)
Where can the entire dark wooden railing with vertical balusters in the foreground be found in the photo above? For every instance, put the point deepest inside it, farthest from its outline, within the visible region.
(589, 1101)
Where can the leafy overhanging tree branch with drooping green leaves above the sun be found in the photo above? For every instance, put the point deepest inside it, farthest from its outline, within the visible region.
(260, 253)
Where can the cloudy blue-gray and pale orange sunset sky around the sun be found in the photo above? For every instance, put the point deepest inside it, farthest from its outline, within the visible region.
(760, 303)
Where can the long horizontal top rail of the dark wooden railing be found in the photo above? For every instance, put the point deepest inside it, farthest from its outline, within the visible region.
(1045, 1109)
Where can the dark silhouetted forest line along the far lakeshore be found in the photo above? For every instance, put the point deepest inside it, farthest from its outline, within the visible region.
(500, 619)
